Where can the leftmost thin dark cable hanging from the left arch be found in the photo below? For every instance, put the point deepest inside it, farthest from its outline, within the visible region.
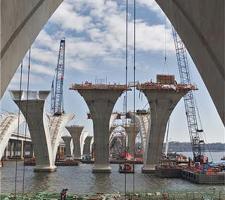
(18, 128)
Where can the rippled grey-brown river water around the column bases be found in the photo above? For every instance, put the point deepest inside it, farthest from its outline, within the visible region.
(80, 179)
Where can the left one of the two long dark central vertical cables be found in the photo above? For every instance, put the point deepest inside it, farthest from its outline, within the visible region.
(125, 176)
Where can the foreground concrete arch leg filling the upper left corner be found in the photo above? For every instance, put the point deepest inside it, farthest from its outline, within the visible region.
(21, 22)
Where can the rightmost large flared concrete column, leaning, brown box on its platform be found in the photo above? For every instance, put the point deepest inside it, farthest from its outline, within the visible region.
(162, 102)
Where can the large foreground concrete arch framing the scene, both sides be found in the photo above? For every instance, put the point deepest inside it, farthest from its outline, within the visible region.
(200, 25)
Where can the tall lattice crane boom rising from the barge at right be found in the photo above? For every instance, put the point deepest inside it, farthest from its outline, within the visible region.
(197, 142)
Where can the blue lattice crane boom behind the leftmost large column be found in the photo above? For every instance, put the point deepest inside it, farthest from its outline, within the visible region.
(57, 83)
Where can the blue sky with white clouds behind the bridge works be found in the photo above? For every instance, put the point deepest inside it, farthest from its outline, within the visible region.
(95, 49)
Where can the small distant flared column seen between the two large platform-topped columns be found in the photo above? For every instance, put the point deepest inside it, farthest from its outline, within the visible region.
(131, 132)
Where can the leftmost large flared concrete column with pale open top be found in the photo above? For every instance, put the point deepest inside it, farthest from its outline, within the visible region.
(32, 107)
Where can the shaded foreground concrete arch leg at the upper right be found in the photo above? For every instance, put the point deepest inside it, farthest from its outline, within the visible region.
(201, 26)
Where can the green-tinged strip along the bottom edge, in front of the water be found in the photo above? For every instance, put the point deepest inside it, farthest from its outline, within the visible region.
(213, 195)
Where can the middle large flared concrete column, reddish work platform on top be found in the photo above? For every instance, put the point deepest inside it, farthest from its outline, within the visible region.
(100, 100)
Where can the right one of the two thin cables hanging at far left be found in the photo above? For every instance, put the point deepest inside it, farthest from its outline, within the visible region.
(26, 126)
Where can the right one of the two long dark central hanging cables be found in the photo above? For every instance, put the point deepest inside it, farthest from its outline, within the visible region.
(134, 76)
